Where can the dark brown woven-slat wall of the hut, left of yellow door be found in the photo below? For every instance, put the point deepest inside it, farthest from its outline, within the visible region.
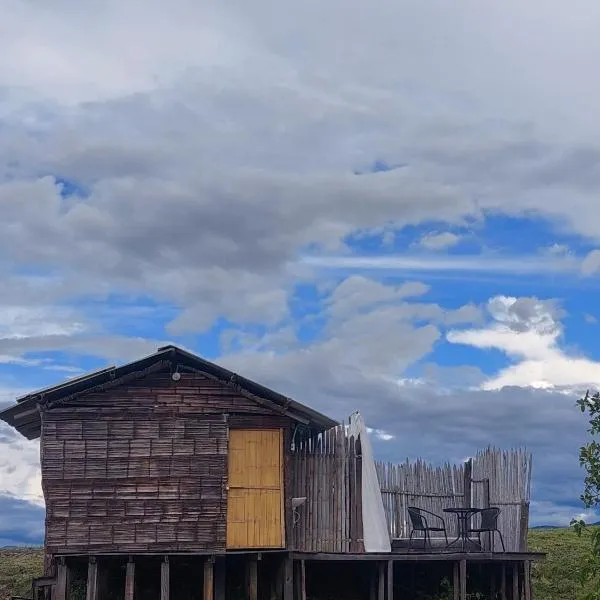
(141, 467)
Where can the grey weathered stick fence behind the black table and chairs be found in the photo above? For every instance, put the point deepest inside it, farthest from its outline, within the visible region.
(433, 488)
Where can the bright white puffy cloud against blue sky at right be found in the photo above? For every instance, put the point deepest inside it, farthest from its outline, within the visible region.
(528, 332)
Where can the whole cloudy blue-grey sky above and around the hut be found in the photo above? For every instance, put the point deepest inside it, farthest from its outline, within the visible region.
(389, 206)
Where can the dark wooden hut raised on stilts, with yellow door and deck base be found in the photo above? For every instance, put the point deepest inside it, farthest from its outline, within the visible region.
(172, 477)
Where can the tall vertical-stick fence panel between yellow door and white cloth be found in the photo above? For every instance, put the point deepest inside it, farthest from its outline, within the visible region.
(327, 471)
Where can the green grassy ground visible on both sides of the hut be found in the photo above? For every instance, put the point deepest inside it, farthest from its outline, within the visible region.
(557, 578)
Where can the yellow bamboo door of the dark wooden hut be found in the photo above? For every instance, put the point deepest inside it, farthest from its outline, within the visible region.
(255, 496)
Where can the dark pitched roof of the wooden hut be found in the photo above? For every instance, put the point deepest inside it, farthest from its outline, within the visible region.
(24, 415)
